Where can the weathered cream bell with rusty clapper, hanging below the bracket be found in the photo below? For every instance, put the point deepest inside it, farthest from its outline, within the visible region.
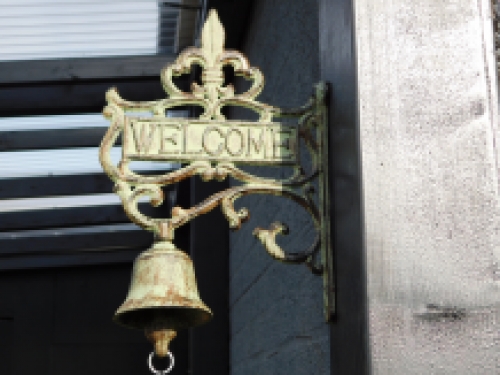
(163, 296)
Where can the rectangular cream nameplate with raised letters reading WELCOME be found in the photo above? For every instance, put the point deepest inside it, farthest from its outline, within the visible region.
(190, 140)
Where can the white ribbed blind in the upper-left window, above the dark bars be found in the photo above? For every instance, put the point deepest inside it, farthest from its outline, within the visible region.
(51, 29)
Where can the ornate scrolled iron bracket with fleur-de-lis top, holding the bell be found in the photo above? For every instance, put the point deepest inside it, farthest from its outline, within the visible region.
(211, 146)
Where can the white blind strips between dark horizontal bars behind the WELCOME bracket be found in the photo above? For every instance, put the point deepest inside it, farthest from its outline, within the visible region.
(63, 162)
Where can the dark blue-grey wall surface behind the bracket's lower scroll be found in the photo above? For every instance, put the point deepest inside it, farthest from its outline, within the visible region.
(277, 324)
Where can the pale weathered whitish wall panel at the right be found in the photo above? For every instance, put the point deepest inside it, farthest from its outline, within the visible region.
(429, 129)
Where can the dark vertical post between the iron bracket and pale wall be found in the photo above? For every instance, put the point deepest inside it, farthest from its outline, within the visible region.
(338, 66)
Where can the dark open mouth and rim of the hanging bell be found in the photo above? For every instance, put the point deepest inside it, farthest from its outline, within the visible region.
(156, 318)
